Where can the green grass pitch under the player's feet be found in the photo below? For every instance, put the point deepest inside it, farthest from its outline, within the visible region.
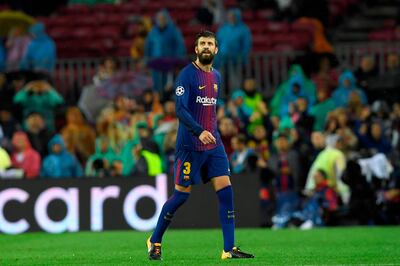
(329, 246)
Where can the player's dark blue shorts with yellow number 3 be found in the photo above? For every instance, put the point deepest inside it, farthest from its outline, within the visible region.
(191, 167)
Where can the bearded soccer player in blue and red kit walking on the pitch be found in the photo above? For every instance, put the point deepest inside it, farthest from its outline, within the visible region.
(200, 154)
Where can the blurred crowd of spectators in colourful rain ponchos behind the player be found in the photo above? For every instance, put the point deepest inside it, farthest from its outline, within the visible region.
(325, 146)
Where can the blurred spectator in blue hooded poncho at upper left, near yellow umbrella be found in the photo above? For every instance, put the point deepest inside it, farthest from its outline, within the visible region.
(41, 52)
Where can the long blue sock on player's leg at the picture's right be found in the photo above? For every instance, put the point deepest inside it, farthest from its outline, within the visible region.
(227, 216)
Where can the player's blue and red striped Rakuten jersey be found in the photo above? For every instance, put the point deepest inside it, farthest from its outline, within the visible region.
(196, 107)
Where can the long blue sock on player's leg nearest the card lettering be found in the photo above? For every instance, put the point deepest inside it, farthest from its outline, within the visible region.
(167, 213)
